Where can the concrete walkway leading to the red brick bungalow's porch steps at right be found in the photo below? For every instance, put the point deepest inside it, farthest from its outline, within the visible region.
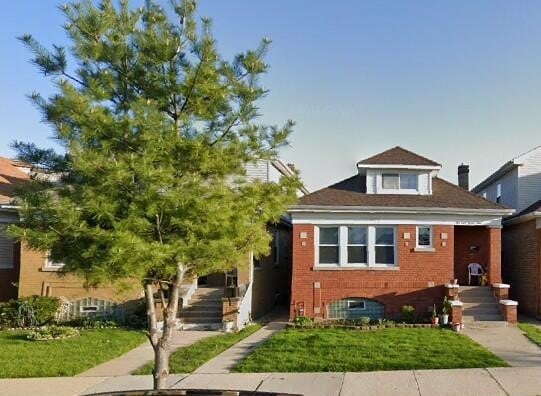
(507, 342)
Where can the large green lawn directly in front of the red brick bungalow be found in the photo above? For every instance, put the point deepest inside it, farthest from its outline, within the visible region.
(338, 350)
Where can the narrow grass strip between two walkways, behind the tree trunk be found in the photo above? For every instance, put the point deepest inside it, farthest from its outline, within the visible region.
(187, 359)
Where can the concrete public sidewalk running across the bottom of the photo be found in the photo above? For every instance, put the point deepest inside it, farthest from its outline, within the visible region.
(513, 381)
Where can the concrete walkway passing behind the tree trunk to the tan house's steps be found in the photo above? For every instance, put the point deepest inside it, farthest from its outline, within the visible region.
(137, 357)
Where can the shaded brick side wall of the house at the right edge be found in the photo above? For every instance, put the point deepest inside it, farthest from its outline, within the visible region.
(521, 267)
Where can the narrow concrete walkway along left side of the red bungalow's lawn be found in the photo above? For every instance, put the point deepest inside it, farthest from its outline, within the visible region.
(225, 361)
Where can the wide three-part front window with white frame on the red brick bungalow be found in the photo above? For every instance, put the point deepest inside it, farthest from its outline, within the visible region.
(356, 246)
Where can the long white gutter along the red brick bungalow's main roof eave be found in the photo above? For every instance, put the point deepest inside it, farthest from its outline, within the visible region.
(380, 209)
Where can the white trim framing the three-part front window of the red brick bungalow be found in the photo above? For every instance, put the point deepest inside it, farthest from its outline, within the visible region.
(343, 245)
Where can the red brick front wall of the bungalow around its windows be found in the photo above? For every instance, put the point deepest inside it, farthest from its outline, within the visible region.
(418, 281)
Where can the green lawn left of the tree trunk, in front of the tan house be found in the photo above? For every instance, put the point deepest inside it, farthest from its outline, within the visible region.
(22, 358)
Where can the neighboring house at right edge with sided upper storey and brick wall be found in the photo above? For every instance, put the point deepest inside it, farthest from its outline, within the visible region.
(517, 184)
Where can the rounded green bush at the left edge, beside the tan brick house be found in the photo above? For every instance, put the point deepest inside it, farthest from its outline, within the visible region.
(28, 311)
